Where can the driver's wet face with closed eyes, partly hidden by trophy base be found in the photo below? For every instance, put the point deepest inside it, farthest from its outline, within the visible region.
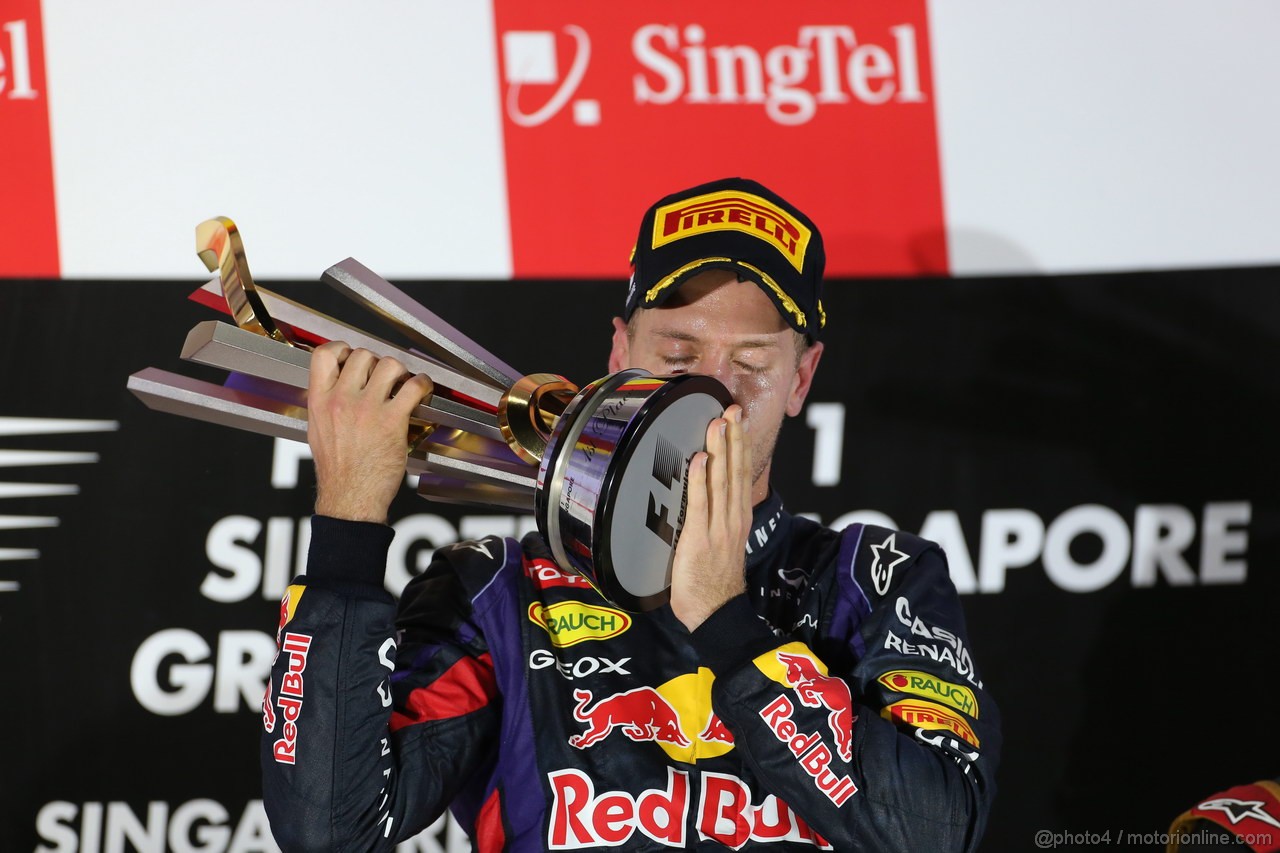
(721, 327)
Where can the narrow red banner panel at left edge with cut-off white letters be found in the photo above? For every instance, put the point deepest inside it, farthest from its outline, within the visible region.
(29, 232)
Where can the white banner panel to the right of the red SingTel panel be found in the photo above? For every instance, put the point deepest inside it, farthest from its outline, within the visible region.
(1100, 135)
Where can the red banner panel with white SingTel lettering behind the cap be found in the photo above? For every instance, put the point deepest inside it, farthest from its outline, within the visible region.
(607, 107)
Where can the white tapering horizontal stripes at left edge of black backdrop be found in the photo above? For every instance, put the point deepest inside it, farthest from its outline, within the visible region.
(39, 459)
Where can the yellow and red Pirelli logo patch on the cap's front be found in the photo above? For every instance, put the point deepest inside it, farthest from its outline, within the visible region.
(733, 211)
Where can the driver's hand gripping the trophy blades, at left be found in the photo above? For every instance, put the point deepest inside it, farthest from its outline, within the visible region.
(359, 430)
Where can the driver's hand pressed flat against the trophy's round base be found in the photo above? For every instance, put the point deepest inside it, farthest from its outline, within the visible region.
(712, 551)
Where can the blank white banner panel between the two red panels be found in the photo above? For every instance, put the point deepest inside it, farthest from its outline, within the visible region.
(324, 130)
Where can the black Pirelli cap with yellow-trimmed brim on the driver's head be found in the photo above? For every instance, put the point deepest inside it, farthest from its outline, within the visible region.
(739, 226)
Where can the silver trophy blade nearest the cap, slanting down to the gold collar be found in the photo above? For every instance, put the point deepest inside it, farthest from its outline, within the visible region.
(374, 293)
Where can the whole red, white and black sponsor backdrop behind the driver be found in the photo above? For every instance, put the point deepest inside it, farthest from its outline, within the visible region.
(1054, 330)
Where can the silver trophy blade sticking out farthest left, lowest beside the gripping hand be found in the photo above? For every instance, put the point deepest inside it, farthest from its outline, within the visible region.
(179, 395)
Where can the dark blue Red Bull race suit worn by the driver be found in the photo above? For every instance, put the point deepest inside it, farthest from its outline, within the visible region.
(835, 706)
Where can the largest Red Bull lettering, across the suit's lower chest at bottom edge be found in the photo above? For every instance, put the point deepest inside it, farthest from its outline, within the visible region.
(580, 818)
